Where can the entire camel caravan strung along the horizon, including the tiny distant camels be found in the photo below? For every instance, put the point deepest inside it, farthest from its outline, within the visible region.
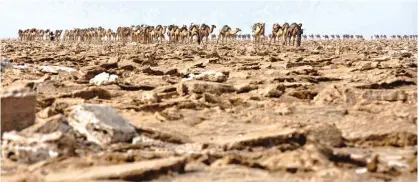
(287, 34)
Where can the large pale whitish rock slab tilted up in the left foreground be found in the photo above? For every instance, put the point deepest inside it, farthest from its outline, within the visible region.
(100, 124)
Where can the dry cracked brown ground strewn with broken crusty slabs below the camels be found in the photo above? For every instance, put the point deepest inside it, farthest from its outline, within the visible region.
(329, 111)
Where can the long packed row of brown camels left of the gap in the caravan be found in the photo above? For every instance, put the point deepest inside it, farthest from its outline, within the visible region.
(140, 33)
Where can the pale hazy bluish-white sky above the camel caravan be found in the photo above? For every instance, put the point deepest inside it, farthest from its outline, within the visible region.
(365, 17)
